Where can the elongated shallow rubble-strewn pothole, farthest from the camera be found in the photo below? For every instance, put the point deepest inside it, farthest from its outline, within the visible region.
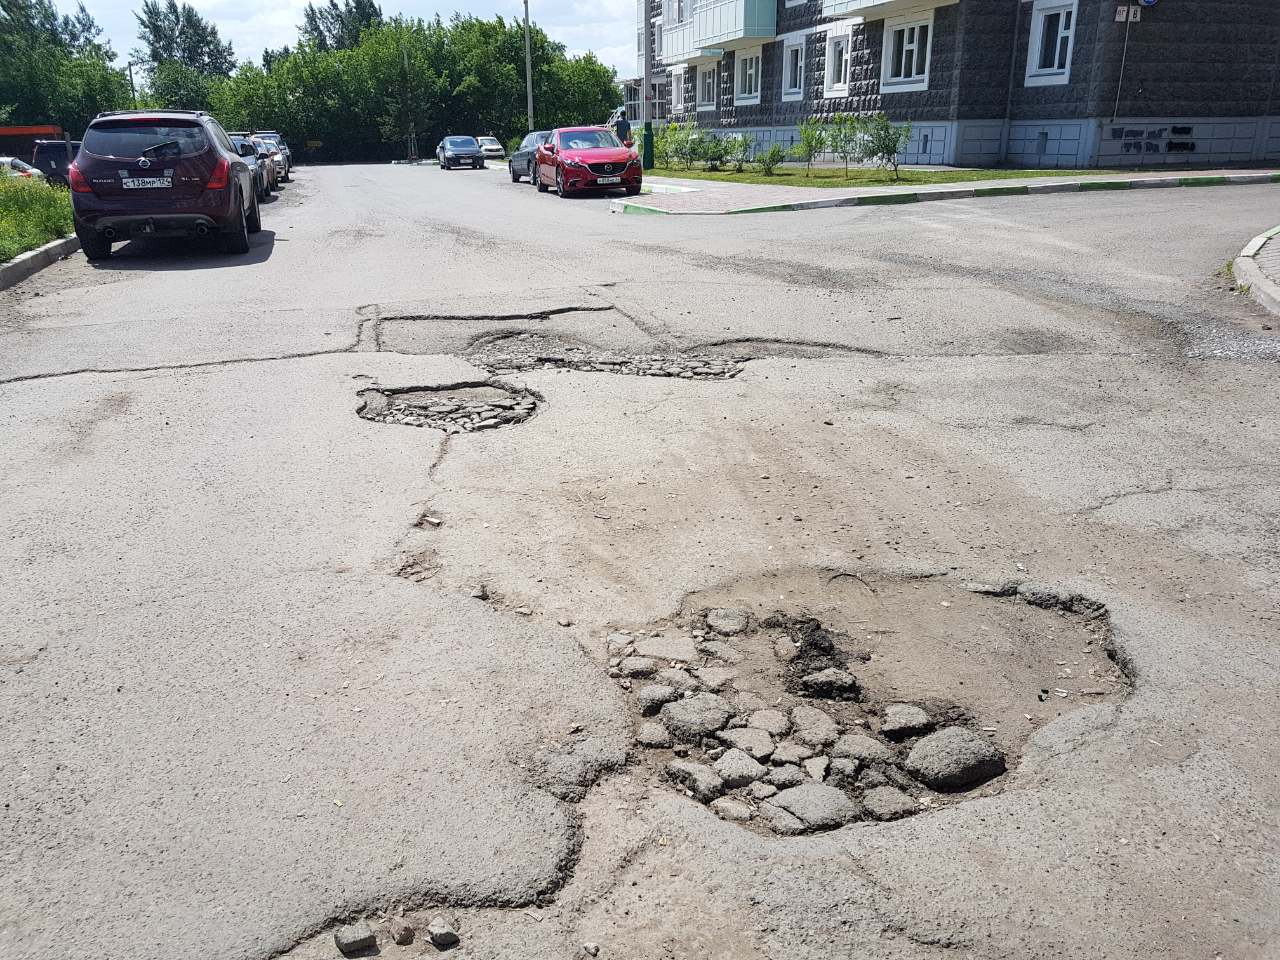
(518, 353)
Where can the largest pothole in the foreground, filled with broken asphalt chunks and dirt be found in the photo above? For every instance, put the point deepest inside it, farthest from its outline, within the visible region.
(918, 698)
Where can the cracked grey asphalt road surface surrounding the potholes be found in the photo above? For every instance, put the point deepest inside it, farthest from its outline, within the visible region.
(246, 692)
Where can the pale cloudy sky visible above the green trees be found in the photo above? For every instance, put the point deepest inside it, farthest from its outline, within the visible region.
(605, 28)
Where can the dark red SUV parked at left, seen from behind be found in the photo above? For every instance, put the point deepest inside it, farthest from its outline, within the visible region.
(162, 173)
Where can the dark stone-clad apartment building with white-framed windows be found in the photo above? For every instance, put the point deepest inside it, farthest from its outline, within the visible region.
(1031, 83)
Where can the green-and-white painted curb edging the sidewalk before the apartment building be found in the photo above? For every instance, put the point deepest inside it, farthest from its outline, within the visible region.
(632, 207)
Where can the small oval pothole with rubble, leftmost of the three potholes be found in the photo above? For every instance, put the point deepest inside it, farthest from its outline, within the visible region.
(455, 409)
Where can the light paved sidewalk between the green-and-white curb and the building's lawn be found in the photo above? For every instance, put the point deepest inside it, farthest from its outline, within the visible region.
(706, 198)
